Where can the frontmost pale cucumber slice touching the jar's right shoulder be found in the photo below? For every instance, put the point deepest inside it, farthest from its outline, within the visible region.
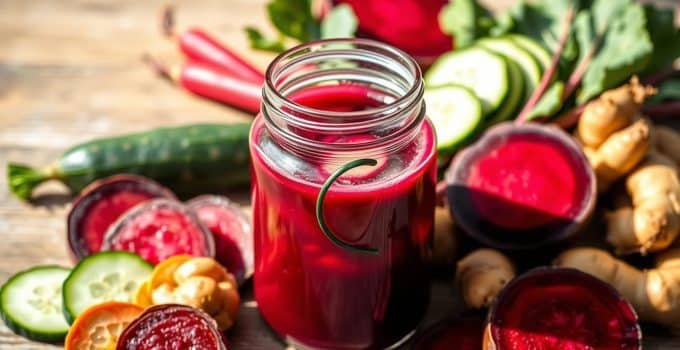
(456, 114)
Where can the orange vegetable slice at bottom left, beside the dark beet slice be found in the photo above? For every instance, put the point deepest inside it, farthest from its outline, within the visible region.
(99, 326)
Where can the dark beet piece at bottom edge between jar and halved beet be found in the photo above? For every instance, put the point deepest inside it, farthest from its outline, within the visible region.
(461, 334)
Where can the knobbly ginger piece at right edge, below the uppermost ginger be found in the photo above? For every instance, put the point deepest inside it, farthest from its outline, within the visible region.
(652, 223)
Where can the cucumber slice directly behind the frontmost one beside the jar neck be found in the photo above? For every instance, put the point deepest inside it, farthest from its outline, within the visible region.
(478, 69)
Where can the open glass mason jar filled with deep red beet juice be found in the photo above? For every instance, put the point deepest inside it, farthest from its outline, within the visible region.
(343, 187)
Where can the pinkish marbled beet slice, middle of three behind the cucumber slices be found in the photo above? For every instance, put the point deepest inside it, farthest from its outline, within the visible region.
(159, 229)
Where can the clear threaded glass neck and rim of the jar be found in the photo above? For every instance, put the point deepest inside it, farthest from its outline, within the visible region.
(391, 73)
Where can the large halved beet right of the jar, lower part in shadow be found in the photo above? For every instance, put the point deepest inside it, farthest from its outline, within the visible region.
(521, 186)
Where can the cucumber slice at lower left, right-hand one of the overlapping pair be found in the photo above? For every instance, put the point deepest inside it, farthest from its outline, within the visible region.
(105, 276)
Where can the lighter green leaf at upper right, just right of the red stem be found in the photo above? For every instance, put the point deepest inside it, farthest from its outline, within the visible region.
(625, 49)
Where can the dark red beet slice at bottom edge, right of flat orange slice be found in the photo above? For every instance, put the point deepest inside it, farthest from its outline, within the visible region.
(171, 327)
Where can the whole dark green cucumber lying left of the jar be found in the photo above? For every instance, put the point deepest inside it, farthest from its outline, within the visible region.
(188, 159)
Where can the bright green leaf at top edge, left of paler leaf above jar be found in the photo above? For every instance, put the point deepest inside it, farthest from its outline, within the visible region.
(294, 19)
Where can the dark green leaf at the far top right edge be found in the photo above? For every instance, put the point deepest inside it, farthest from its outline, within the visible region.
(665, 38)
